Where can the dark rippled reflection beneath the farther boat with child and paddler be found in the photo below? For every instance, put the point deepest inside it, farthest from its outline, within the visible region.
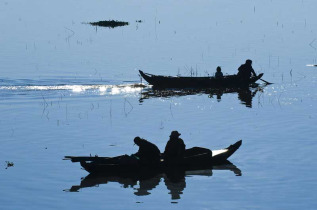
(245, 95)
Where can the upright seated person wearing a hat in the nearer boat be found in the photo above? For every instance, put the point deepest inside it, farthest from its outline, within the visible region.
(175, 148)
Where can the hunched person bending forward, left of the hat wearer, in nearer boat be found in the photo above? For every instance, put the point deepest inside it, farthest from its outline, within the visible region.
(148, 152)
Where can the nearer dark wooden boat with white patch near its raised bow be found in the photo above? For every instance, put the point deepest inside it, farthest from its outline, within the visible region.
(195, 157)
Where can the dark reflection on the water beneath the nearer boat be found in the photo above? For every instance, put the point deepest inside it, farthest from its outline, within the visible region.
(145, 181)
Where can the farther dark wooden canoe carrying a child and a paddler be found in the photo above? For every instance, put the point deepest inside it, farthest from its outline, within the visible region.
(159, 81)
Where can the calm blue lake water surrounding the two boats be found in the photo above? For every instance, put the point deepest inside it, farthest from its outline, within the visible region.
(66, 89)
